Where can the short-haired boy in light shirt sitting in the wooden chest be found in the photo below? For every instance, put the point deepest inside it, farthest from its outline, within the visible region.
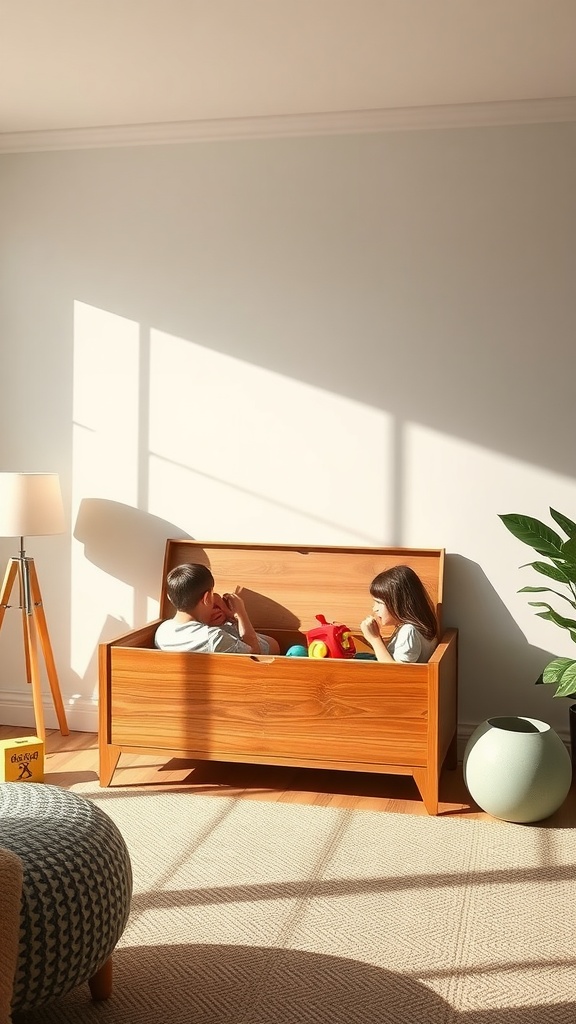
(207, 623)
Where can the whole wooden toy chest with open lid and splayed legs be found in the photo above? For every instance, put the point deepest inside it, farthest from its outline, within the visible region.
(325, 713)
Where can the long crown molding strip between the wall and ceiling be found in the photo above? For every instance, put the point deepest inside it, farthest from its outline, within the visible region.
(560, 109)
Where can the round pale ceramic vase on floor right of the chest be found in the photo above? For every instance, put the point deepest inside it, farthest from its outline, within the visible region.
(517, 770)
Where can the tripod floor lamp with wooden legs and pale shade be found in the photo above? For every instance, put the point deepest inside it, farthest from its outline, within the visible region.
(31, 505)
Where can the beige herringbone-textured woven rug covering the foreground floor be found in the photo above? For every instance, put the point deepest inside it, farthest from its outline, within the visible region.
(254, 913)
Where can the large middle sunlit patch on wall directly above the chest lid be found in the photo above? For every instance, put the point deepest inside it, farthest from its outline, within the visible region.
(241, 453)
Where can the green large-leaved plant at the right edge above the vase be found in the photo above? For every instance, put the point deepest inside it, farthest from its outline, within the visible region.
(560, 570)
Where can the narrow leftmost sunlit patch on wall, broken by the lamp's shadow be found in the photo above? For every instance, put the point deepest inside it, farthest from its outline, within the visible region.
(105, 464)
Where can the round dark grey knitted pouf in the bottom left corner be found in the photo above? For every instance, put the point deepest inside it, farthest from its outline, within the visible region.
(76, 891)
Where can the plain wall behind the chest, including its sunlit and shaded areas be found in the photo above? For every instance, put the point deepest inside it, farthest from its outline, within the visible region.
(356, 340)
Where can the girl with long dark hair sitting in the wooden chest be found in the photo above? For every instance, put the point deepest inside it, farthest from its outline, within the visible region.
(401, 602)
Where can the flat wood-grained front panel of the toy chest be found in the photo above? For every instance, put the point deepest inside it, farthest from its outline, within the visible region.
(237, 706)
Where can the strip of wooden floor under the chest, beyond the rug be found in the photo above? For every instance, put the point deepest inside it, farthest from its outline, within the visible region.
(74, 759)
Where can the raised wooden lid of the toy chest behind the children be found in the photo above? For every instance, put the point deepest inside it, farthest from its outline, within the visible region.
(286, 586)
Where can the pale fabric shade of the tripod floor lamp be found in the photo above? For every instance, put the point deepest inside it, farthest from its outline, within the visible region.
(31, 505)
